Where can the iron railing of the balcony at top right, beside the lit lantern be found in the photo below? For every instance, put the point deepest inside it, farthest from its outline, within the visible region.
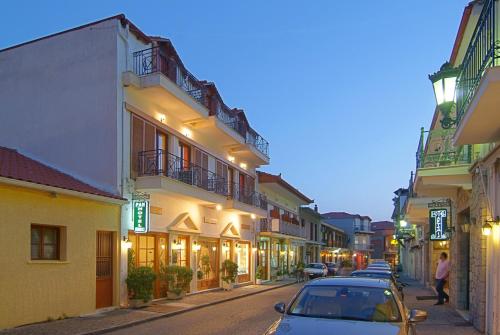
(483, 52)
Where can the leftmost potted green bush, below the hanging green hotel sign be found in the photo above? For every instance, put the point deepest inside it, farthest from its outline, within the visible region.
(140, 286)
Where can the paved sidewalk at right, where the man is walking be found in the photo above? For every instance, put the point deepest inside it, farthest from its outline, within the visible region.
(442, 320)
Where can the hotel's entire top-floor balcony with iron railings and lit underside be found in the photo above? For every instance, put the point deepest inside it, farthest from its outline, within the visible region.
(160, 76)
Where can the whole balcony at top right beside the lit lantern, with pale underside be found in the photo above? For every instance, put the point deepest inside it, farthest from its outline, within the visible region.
(478, 85)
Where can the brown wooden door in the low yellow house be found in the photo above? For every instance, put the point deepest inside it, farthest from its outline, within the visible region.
(104, 269)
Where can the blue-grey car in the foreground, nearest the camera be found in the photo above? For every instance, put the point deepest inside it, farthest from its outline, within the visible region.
(346, 305)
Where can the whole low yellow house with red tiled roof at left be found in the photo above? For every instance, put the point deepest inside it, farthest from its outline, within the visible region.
(47, 217)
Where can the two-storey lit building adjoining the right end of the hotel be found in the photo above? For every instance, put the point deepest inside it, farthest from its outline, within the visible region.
(283, 237)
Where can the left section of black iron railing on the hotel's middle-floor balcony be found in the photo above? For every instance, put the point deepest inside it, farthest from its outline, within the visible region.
(161, 163)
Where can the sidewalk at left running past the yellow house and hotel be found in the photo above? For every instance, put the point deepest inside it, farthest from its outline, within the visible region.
(121, 318)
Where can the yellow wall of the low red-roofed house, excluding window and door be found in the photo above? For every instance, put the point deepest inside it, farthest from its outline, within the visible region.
(32, 291)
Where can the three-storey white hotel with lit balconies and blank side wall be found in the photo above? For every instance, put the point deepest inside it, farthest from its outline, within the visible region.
(148, 131)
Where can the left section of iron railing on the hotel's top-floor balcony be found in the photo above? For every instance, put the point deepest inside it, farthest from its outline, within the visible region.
(153, 60)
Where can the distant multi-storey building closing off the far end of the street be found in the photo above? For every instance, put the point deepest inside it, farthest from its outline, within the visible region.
(358, 229)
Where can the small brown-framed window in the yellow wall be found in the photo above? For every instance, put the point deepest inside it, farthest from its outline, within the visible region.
(45, 242)
